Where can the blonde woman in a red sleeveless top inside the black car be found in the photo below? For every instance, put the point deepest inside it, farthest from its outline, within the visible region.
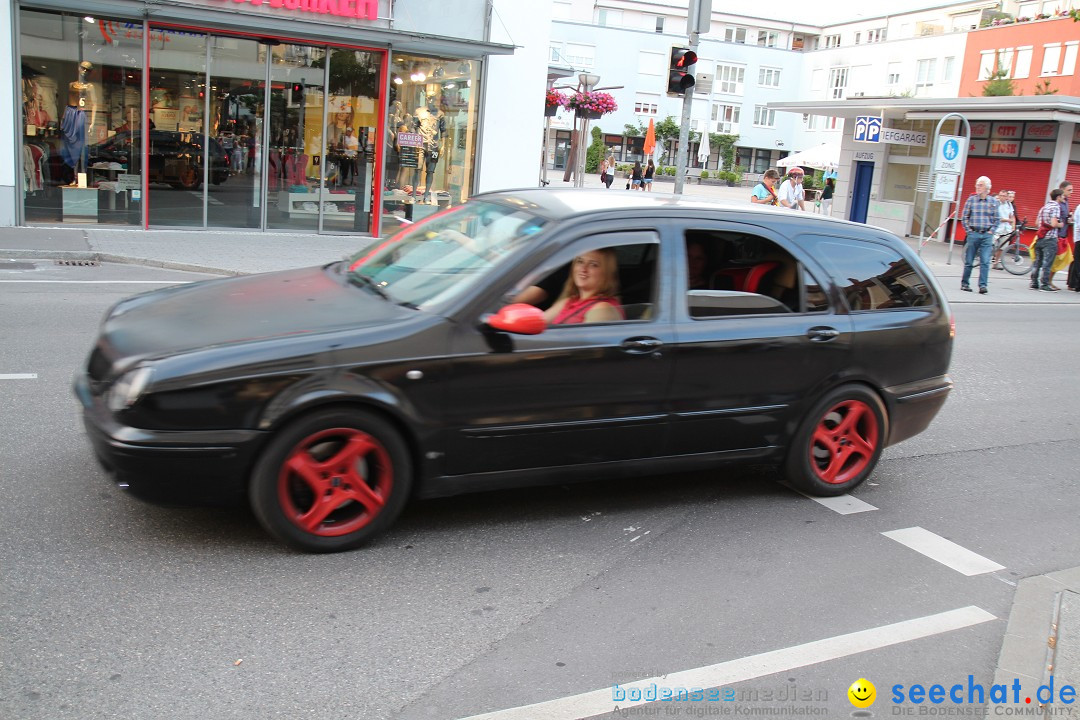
(591, 293)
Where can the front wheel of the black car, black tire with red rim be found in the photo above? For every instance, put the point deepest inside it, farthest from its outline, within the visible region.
(332, 481)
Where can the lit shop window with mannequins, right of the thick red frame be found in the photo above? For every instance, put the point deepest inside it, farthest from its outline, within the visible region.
(431, 137)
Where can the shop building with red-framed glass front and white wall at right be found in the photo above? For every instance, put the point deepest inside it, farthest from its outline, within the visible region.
(288, 116)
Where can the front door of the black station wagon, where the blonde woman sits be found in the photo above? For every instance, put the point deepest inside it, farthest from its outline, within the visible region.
(574, 395)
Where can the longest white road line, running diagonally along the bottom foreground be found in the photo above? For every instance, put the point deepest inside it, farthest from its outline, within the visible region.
(600, 702)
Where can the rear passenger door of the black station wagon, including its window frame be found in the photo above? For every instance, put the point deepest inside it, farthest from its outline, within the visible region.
(751, 350)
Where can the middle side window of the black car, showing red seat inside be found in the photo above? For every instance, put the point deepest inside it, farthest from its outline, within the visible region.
(735, 274)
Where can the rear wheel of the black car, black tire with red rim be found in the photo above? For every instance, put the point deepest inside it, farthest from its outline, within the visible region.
(840, 442)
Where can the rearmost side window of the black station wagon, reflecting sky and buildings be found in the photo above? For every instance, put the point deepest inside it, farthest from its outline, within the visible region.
(874, 277)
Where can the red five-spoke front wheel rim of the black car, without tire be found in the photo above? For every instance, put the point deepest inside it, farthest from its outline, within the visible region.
(335, 482)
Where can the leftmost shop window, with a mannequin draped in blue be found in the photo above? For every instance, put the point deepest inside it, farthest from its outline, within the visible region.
(82, 80)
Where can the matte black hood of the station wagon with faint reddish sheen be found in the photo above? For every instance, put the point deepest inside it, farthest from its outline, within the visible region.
(248, 309)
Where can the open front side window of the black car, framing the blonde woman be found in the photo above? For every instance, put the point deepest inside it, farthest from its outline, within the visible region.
(628, 283)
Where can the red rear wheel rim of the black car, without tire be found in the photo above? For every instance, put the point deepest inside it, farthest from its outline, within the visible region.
(844, 443)
